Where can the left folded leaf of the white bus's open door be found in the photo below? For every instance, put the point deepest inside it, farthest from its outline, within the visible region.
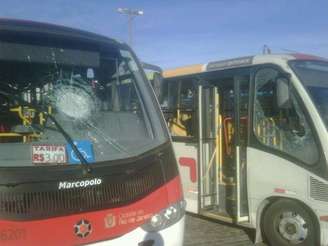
(208, 150)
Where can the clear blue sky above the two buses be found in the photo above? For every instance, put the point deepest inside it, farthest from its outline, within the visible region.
(179, 32)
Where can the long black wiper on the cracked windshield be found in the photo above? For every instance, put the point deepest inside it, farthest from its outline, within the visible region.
(86, 167)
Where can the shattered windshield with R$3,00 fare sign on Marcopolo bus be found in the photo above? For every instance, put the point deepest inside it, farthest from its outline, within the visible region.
(91, 91)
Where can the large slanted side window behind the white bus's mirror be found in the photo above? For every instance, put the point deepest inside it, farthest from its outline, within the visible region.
(284, 129)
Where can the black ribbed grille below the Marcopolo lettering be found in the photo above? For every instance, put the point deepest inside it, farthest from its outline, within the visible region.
(44, 204)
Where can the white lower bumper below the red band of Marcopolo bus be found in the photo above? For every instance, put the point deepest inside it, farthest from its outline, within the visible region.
(170, 236)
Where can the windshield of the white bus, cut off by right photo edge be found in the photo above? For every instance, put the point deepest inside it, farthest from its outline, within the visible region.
(314, 75)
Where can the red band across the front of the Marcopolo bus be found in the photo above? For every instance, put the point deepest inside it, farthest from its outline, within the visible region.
(105, 224)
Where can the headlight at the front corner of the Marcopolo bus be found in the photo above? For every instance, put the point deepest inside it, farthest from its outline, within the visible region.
(166, 217)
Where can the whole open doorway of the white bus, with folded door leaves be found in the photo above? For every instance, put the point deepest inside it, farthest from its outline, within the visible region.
(222, 196)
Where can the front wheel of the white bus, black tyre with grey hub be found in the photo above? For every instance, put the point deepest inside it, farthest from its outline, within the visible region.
(286, 222)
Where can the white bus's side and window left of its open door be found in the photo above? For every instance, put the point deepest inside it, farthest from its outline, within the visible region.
(178, 105)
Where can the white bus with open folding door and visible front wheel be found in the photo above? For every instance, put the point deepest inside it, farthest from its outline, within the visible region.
(250, 136)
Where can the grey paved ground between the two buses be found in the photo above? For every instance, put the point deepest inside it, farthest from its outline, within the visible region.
(201, 232)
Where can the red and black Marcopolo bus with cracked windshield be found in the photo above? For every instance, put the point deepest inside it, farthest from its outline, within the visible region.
(85, 156)
